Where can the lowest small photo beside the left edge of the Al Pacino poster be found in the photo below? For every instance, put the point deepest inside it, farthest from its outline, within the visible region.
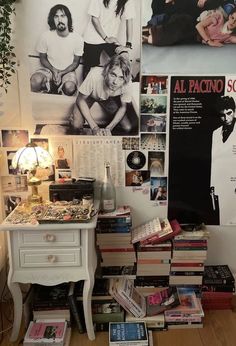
(158, 190)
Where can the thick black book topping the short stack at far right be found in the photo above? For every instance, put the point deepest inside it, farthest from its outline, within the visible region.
(218, 274)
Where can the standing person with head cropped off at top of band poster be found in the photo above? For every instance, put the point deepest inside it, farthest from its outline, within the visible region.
(102, 31)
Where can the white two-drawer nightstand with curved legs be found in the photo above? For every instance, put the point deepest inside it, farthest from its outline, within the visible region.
(50, 254)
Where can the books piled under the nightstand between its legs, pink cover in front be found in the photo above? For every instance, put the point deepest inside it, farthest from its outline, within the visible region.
(51, 316)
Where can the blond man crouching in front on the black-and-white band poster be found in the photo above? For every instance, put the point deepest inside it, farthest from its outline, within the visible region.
(110, 88)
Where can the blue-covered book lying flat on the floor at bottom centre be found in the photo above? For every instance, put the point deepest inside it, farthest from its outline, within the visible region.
(128, 333)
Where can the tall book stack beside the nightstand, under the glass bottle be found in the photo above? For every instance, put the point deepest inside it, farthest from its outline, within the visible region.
(113, 234)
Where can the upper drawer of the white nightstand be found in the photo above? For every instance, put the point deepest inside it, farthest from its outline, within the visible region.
(49, 238)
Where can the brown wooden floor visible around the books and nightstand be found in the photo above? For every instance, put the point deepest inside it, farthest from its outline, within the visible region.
(219, 330)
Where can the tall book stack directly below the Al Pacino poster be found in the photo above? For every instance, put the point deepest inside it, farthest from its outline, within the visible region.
(188, 258)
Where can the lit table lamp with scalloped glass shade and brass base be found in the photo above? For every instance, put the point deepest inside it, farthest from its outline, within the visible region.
(28, 159)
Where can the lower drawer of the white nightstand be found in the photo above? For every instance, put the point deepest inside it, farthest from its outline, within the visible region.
(50, 258)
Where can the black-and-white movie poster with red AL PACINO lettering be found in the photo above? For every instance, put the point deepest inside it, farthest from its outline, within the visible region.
(202, 150)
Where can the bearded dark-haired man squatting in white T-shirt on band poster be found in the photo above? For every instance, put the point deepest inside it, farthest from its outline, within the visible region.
(60, 50)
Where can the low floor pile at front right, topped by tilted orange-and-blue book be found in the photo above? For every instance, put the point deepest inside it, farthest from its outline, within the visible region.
(188, 314)
